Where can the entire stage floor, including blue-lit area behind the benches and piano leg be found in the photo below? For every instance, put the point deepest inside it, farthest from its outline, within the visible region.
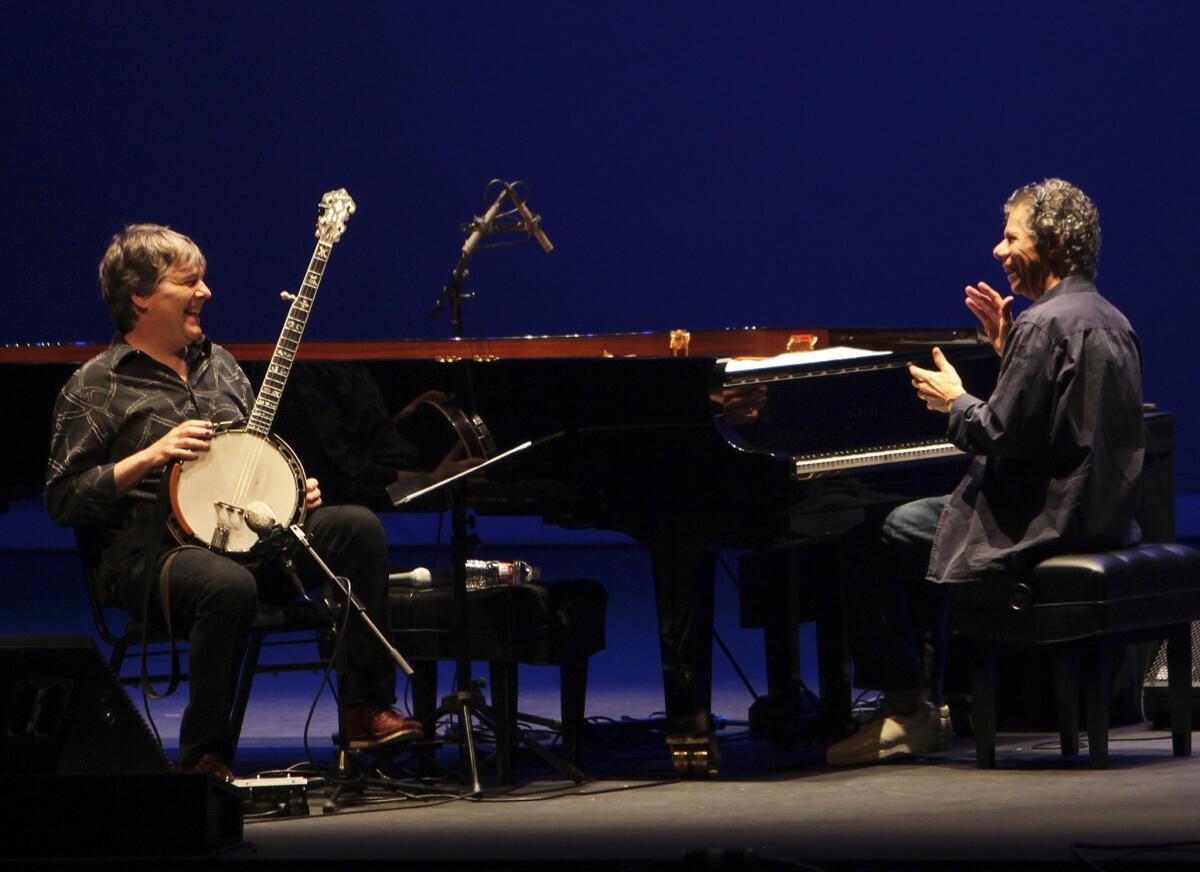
(789, 809)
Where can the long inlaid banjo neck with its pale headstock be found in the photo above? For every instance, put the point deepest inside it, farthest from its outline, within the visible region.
(338, 207)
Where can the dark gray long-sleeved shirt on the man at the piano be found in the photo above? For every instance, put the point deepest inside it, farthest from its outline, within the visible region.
(1059, 444)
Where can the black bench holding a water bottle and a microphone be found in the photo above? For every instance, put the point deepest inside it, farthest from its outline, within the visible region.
(554, 624)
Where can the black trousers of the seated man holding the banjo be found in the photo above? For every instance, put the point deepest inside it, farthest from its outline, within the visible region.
(214, 599)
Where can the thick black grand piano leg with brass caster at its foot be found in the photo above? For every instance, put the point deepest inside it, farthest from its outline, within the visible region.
(685, 570)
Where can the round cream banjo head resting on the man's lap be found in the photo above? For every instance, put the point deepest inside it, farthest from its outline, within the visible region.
(208, 496)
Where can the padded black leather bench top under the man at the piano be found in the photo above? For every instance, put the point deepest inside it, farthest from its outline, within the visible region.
(1077, 597)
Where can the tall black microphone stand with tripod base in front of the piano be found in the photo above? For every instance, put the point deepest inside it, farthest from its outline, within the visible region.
(467, 701)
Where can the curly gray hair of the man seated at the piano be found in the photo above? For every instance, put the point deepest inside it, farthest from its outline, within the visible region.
(1065, 224)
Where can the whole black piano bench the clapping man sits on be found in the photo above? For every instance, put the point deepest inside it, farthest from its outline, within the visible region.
(1078, 608)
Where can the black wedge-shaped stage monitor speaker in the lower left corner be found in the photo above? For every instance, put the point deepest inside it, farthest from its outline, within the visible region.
(65, 713)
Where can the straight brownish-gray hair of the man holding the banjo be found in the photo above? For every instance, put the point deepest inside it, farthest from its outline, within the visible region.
(137, 260)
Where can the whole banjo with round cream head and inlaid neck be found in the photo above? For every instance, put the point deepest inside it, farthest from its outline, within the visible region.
(247, 465)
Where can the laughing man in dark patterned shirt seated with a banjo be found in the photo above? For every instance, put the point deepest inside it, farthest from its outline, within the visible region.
(155, 398)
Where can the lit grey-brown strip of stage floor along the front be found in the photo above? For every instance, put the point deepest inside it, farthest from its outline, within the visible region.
(1036, 809)
